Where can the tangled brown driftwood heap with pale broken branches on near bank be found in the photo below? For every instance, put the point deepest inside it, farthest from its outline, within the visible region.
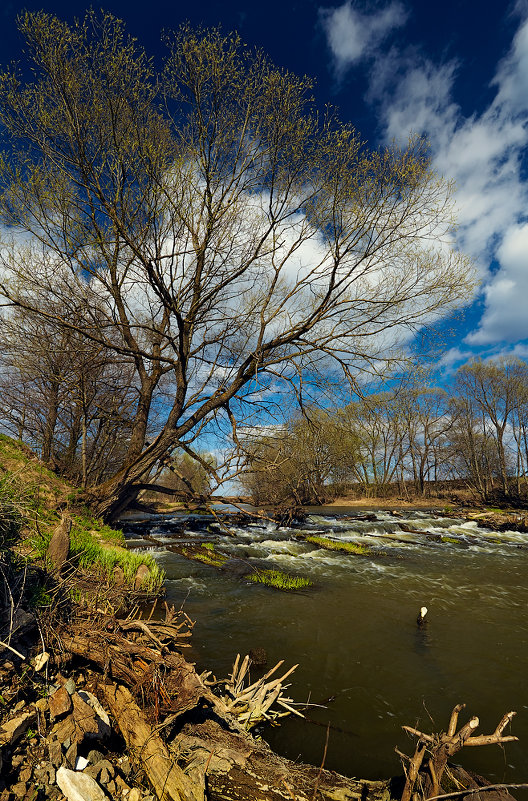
(207, 747)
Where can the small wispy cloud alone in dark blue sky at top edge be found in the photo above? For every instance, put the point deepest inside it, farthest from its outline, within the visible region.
(353, 35)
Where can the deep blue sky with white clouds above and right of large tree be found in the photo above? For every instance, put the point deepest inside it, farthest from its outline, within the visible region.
(457, 71)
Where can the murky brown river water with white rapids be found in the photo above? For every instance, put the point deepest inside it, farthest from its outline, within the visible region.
(354, 634)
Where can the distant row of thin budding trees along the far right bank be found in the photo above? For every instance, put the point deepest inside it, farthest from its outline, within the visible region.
(403, 441)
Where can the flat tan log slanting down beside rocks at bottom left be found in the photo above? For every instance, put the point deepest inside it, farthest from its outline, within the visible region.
(168, 780)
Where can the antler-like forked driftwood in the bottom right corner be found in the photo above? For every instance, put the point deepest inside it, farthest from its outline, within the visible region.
(439, 748)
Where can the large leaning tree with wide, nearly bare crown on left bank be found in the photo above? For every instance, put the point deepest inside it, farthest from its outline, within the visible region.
(239, 243)
